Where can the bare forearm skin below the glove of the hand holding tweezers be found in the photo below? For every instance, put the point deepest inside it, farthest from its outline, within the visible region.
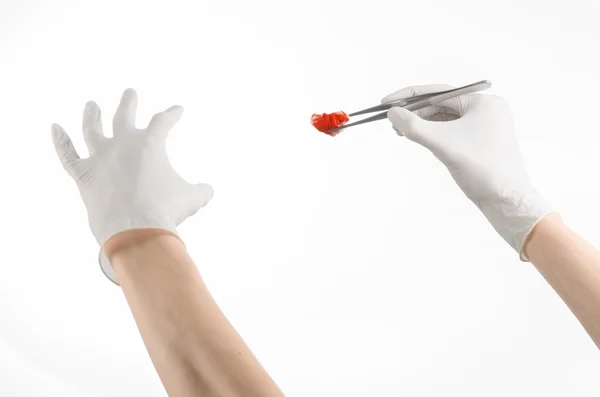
(571, 266)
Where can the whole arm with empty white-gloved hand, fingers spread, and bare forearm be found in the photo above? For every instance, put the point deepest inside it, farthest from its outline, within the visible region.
(135, 200)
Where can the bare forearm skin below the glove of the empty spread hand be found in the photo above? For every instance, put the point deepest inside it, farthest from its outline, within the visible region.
(193, 347)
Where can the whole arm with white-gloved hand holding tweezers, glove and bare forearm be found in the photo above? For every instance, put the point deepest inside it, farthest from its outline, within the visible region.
(473, 136)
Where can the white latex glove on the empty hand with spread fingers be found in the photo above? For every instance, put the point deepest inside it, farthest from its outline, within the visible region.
(127, 182)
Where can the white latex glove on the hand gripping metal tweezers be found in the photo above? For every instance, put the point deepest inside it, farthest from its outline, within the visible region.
(473, 135)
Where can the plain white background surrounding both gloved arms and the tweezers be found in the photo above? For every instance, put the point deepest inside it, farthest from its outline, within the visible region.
(352, 266)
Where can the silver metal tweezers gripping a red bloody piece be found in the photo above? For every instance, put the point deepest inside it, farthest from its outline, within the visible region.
(415, 102)
